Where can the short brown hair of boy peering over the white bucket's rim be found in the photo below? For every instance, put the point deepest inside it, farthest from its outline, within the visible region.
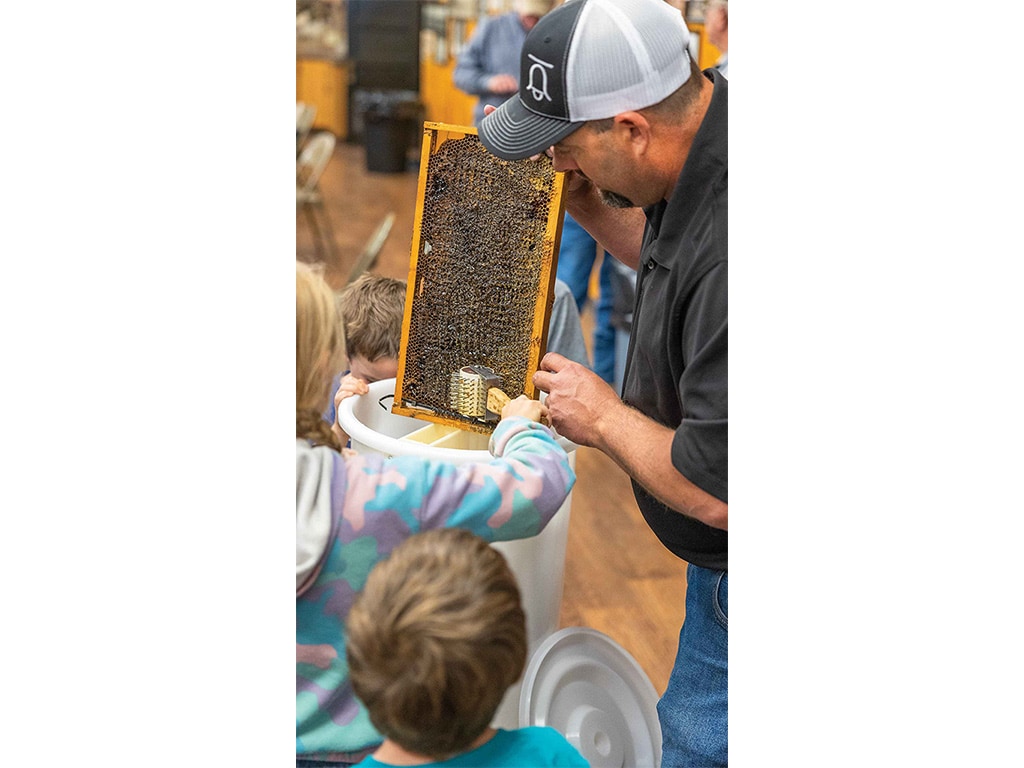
(374, 308)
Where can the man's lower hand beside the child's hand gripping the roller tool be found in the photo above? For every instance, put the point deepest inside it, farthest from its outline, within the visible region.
(580, 403)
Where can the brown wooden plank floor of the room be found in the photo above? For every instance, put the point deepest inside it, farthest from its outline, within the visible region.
(619, 579)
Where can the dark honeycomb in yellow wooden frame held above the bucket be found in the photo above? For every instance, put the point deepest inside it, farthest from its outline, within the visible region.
(482, 274)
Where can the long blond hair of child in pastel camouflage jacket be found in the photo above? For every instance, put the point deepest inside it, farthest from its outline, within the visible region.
(320, 350)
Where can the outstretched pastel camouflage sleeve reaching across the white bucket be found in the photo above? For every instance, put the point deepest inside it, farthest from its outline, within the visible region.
(514, 496)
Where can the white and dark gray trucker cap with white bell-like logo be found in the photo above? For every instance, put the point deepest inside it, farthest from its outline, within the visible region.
(589, 60)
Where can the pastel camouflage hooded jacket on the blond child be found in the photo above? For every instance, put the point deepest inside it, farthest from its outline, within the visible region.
(351, 514)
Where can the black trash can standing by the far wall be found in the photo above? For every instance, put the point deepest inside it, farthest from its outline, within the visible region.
(390, 123)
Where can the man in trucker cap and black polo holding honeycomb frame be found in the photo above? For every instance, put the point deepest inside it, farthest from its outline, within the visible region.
(609, 91)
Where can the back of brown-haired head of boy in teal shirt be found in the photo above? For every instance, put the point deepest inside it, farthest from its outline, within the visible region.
(436, 639)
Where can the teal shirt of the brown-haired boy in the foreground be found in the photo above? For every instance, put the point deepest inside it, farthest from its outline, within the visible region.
(537, 747)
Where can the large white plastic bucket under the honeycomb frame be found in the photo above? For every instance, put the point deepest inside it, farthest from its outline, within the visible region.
(539, 564)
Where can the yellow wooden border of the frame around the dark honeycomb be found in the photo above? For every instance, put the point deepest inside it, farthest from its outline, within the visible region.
(545, 182)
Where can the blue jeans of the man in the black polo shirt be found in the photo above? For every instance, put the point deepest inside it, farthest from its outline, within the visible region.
(695, 710)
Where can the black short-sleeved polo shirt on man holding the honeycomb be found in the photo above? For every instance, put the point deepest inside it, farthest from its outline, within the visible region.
(677, 366)
